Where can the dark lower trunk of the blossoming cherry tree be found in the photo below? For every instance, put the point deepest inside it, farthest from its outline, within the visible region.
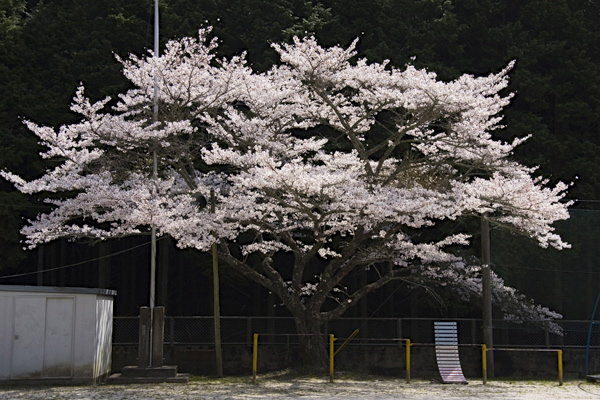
(313, 352)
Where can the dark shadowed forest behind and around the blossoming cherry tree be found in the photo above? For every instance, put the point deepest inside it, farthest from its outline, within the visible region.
(48, 47)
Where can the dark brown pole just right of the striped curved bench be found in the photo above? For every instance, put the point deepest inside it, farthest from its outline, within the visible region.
(488, 335)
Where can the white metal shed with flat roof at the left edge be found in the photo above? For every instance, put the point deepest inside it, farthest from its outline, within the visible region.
(55, 334)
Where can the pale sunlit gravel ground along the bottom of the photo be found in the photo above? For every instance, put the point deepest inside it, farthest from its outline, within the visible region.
(313, 388)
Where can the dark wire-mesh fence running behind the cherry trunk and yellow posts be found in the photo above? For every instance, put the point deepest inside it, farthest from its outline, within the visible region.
(372, 331)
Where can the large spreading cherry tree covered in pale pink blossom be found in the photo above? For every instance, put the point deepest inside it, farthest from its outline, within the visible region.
(322, 166)
